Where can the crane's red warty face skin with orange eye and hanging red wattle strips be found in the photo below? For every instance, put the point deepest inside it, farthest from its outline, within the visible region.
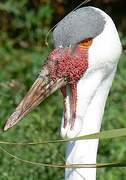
(71, 65)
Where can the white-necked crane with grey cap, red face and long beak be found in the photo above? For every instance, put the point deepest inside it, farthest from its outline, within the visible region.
(92, 88)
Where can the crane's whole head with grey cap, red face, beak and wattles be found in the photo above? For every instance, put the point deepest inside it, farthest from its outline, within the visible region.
(84, 40)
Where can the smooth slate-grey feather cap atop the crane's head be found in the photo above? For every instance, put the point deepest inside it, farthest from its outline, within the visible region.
(83, 23)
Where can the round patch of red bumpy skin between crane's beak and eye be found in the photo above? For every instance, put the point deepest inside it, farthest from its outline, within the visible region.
(67, 64)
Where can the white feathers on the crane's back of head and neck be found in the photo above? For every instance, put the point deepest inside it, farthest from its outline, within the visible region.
(92, 91)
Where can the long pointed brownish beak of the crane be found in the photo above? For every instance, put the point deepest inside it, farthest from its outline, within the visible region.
(42, 88)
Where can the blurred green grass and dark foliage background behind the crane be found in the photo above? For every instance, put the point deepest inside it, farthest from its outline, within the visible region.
(23, 28)
